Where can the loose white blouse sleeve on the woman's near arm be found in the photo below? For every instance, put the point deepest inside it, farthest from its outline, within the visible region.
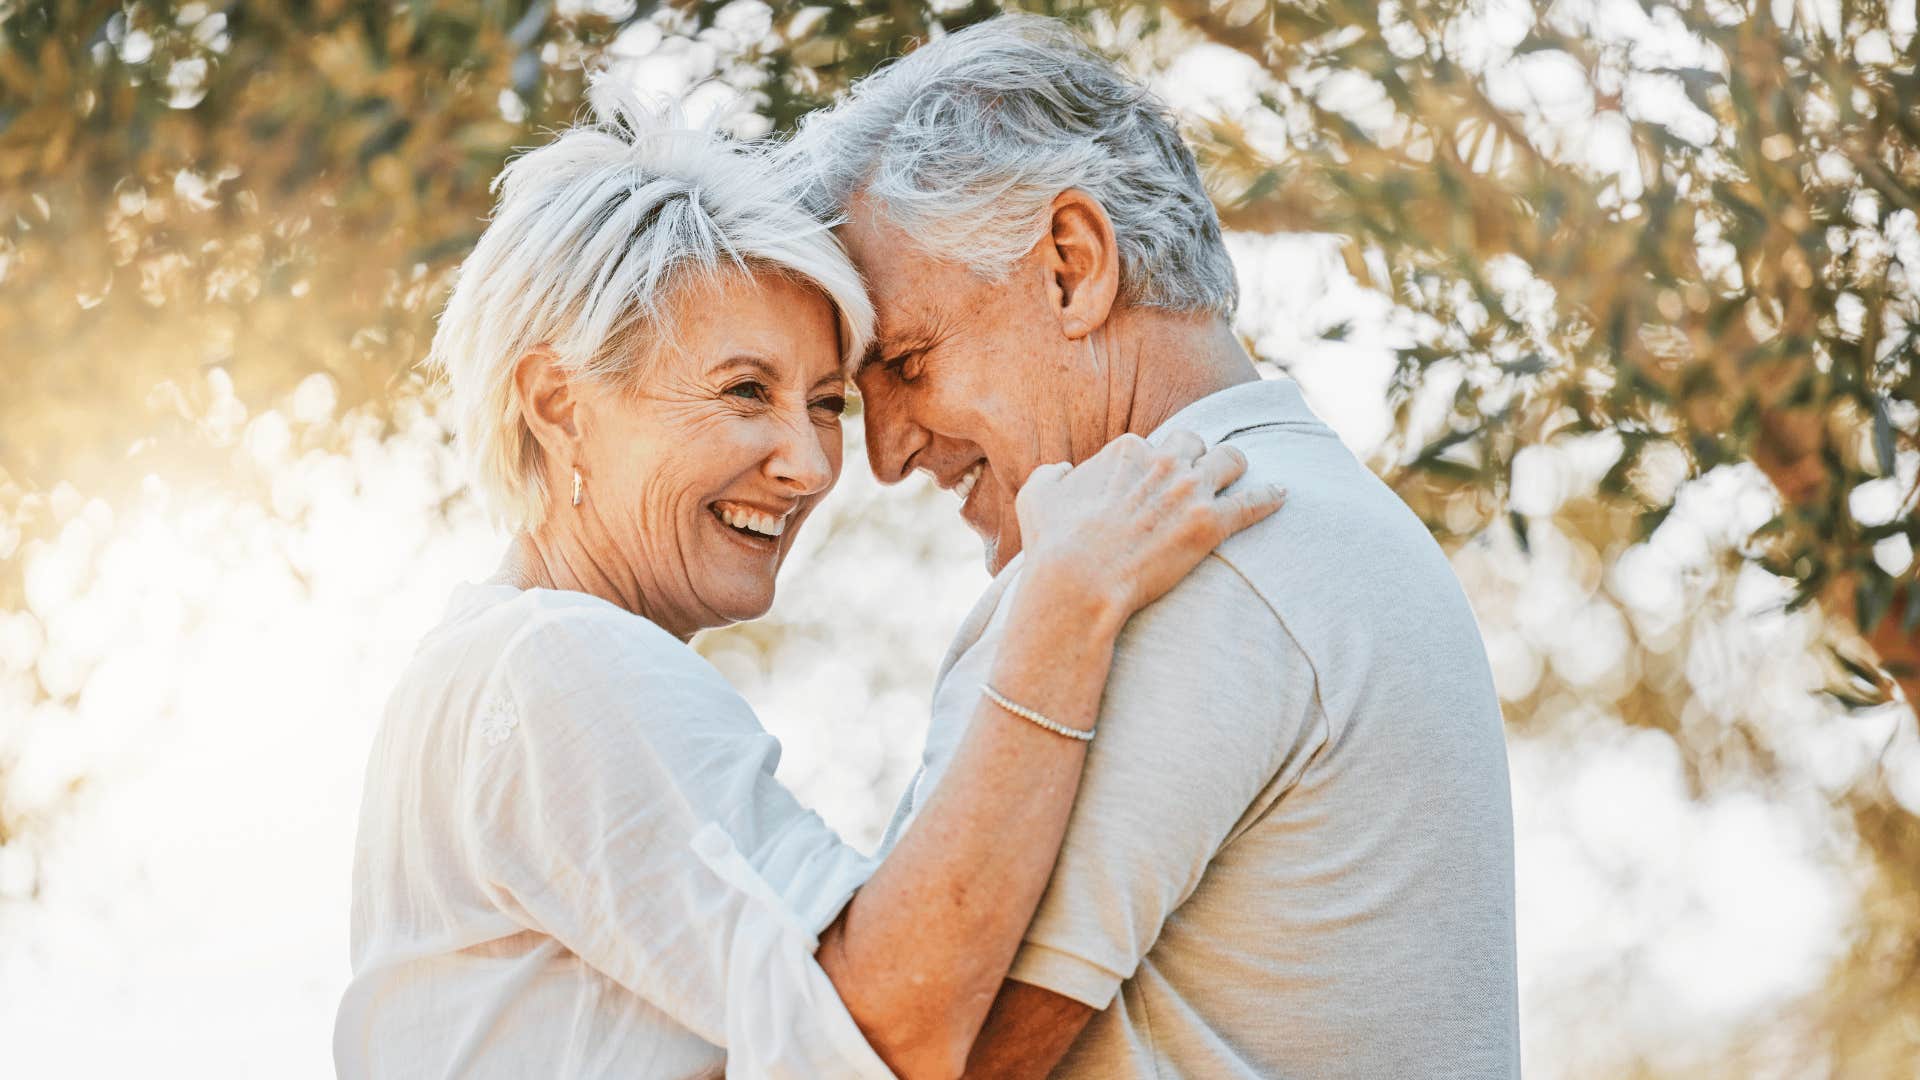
(621, 798)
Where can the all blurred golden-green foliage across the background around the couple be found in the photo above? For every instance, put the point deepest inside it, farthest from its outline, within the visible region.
(1694, 237)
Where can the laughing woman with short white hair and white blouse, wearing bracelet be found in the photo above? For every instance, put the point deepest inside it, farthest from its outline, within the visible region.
(573, 854)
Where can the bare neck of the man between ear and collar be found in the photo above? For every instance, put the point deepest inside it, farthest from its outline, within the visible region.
(1164, 362)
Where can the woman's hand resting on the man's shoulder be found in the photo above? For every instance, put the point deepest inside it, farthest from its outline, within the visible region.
(1134, 520)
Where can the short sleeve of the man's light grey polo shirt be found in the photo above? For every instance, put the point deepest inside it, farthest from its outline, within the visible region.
(1209, 716)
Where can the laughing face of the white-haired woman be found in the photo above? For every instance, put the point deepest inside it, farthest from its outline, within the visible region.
(702, 476)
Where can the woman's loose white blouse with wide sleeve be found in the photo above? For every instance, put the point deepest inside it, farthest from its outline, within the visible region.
(575, 862)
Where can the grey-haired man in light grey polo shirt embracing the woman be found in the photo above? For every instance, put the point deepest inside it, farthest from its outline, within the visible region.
(1312, 871)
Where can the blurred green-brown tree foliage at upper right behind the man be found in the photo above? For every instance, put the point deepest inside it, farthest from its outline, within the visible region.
(1729, 293)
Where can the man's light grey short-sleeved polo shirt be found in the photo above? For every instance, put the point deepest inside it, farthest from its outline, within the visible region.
(1293, 848)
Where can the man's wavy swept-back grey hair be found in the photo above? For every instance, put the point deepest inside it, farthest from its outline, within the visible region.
(967, 141)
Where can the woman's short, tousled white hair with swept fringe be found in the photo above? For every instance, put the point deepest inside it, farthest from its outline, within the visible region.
(594, 239)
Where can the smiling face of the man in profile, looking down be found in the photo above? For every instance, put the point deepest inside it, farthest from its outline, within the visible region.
(972, 381)
